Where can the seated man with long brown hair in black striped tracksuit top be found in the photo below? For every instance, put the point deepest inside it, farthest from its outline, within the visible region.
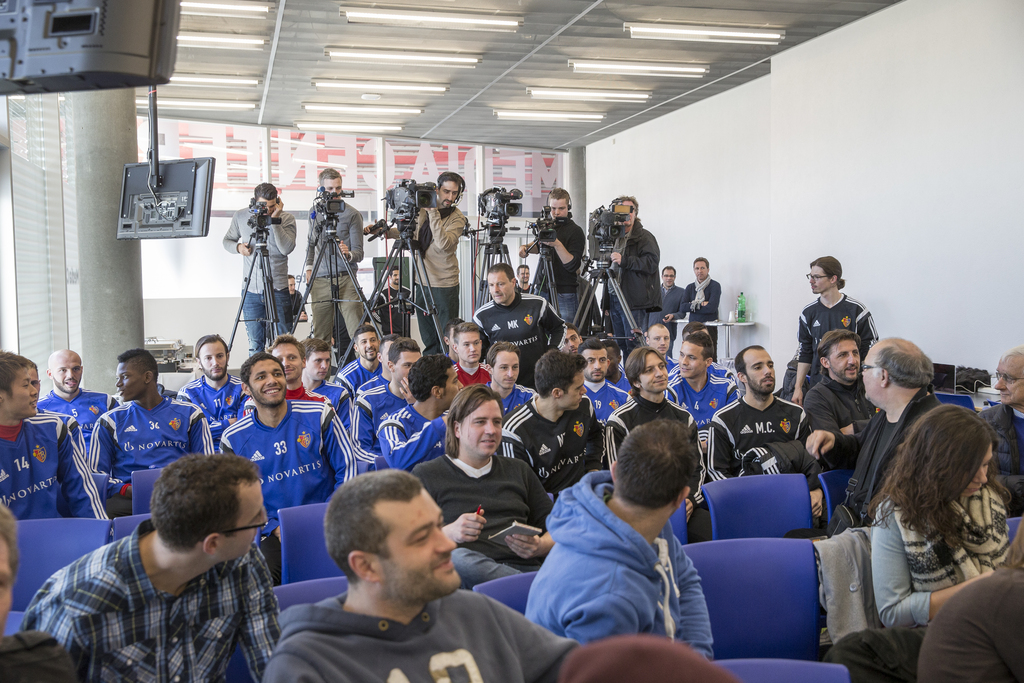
(649, 374)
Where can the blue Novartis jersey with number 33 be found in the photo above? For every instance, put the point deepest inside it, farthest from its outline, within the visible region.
(302, 461)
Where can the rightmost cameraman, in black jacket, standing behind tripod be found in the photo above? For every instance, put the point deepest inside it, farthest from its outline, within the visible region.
(636, 259)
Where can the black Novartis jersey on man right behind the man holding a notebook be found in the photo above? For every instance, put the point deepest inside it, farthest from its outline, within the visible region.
(561, 453)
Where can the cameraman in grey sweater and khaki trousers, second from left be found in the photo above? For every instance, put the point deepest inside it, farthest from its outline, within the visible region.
(351, 246)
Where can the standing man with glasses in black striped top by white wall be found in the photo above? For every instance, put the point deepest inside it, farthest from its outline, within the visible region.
(832, 311)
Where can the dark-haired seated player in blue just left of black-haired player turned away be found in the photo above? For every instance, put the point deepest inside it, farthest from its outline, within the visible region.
(376, 404)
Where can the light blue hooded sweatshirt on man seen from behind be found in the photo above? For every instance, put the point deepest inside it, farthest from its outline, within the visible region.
(604, 579)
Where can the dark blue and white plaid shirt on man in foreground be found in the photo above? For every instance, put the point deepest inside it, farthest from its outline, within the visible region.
(116, 626)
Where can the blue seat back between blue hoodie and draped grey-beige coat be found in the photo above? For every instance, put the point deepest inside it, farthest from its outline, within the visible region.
(762, 596)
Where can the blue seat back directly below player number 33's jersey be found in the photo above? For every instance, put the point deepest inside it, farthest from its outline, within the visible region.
(304, 551)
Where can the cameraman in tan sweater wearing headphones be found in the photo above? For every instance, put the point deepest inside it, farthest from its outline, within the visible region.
(438, 232)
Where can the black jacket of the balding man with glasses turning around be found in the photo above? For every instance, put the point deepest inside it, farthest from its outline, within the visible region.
(868, 457)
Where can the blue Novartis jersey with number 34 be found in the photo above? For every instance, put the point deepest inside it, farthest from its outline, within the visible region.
(131, 438)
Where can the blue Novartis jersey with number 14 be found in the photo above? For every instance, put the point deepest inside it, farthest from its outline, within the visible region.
(42, 459)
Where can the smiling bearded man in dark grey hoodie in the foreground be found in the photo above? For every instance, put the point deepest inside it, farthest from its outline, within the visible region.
(404, 618)
